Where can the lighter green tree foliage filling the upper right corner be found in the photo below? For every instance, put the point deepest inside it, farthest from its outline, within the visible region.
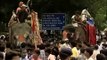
(99, 12)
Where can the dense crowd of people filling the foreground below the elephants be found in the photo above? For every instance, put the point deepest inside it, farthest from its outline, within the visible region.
(54, 50)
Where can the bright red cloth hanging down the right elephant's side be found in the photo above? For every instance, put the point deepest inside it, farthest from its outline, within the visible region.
(91, 34)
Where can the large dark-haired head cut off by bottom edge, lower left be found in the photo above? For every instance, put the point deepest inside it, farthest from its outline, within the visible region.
(12, 56)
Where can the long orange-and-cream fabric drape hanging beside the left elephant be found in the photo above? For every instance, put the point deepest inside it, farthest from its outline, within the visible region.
(35, 29)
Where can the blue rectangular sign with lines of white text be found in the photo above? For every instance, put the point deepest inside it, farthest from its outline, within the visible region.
(53, 21)
